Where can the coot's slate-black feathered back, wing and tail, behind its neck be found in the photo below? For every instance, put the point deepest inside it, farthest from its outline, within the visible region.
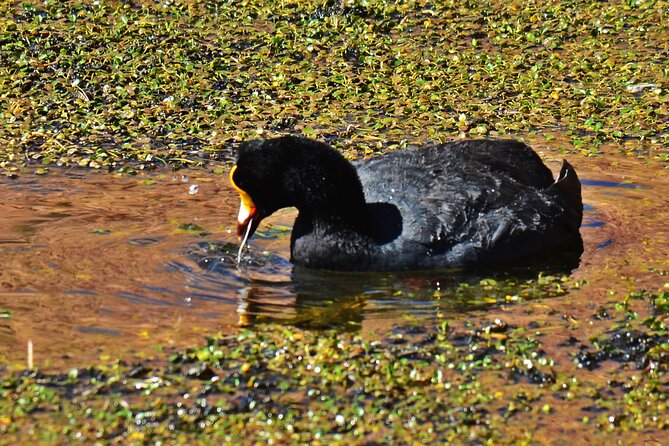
(470, 203)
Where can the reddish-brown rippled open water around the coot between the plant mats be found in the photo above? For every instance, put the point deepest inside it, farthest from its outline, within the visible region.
(98, 264)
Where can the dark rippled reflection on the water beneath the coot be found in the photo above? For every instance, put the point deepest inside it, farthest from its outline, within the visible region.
(269, 289)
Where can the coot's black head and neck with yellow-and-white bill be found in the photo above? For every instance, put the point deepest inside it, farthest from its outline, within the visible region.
(288, 171)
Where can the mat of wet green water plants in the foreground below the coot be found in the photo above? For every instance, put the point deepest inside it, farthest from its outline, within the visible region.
(469, 382)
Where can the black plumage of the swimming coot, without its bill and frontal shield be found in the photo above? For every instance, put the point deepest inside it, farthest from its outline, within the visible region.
(464, 204)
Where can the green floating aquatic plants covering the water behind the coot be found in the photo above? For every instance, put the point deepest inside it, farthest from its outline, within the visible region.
(125, 85)
